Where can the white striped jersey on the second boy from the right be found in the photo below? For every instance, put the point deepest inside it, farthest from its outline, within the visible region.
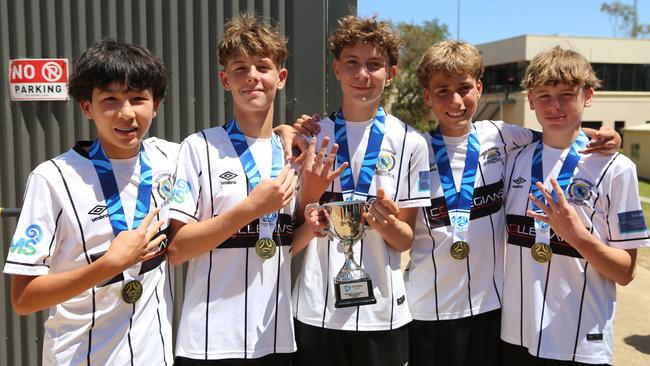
(438, 286)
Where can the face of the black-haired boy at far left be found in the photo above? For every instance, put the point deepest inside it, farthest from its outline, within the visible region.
(122, 118)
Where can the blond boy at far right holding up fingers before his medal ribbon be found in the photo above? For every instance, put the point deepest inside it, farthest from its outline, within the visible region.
(560, 283)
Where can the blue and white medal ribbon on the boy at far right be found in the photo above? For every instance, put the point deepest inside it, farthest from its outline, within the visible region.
(542, 229)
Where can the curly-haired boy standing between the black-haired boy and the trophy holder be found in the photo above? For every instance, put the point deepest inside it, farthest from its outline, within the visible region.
(232, 215)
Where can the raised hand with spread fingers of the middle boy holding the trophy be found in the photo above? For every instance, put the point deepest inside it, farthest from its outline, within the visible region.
(316, 172)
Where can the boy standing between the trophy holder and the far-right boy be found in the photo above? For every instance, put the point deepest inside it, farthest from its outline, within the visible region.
(454, 279)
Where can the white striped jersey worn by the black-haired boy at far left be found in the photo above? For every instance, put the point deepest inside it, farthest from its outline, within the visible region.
(64, 225)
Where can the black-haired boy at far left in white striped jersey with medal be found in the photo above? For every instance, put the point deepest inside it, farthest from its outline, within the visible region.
(84, 244)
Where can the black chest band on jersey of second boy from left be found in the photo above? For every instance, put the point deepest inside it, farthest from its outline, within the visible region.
(247, 236)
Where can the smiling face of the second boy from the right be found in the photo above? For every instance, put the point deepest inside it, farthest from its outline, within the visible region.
(454, 100)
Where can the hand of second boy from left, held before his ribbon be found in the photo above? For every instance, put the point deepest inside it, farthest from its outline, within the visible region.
(271, 195)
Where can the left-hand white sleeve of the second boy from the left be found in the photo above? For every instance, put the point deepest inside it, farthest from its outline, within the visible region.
(186, 195)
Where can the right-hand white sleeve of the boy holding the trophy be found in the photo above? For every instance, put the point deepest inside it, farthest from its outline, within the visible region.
(418, 183)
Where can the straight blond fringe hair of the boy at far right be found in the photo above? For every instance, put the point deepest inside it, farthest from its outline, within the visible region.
(559, 66)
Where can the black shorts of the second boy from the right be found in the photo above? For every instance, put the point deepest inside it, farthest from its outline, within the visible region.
(470, 341)
